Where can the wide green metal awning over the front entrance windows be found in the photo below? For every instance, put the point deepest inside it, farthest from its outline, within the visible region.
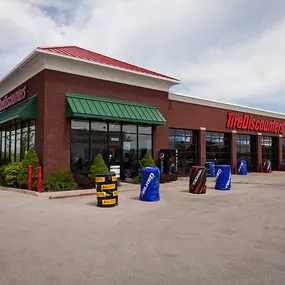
(91, 107)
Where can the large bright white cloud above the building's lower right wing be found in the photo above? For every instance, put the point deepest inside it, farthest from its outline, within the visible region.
(252, 69)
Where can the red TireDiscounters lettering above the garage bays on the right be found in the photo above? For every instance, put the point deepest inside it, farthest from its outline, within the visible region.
(247, 122)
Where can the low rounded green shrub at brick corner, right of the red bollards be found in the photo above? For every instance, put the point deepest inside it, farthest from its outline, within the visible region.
(61, 179)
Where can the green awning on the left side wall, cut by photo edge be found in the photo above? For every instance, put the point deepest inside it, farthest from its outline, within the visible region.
(26, 109)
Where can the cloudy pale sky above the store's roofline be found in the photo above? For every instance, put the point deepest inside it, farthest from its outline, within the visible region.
(226, 50)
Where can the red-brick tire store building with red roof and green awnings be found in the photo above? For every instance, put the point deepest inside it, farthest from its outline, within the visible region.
(71, 104)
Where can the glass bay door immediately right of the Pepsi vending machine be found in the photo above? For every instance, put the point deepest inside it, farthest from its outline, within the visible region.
(185, 142)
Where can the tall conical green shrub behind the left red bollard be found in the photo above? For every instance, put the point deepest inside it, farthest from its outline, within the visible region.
(30, 159)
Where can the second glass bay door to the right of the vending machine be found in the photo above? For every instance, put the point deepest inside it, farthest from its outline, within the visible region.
(217, 147)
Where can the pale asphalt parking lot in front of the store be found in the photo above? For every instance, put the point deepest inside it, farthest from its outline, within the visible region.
(223, 237)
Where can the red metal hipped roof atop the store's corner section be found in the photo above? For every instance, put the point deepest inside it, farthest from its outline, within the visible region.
(80, 53)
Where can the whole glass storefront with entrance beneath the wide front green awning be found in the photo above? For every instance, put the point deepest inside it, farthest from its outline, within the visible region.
(121, 145)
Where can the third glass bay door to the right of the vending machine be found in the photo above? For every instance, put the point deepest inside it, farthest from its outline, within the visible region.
(246, 150)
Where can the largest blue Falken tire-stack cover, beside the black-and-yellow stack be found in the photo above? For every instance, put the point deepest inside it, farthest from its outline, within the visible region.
(150, 184)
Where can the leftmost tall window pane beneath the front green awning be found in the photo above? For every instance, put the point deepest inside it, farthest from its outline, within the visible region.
(80, 146)
